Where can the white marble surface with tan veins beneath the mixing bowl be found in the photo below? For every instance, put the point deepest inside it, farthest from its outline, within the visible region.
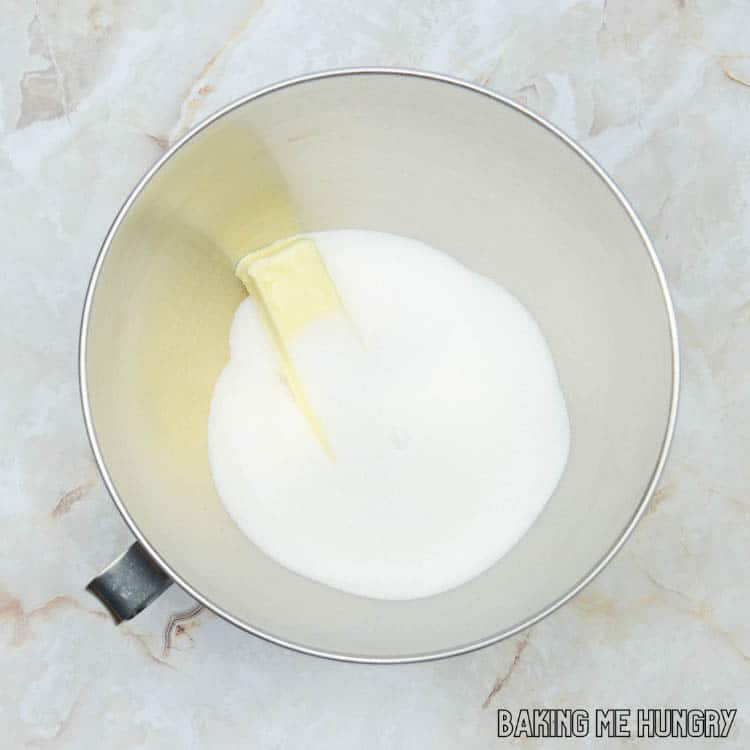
(90, 93)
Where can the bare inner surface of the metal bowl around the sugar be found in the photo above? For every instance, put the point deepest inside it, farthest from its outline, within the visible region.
(398, 153)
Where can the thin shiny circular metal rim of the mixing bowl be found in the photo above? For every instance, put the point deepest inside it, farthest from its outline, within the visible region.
(325, 653)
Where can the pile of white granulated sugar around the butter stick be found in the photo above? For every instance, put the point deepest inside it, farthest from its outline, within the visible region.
(441, 404)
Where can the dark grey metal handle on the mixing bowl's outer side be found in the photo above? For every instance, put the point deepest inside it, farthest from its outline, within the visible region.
(129, 584)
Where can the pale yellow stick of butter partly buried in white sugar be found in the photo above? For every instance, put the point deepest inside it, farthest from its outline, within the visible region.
(292, 288)
